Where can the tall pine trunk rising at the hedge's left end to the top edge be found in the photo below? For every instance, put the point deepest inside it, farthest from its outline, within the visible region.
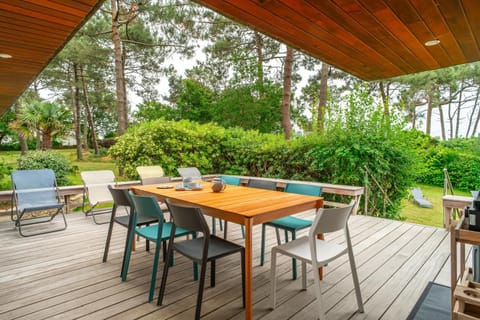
(119, 71)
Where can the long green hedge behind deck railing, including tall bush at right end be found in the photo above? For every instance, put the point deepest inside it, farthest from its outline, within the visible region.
(339, 157)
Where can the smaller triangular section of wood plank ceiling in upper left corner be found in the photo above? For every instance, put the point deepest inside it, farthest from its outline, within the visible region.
(32, 32)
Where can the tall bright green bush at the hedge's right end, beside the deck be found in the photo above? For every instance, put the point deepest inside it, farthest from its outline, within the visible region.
(363, 141)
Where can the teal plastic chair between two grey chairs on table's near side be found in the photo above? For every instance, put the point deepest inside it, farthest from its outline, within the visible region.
(147, 206)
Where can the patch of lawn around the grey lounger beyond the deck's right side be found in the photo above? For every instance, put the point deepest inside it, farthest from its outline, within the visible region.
(427, 216)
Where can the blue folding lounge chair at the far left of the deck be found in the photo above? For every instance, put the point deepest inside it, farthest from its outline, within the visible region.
(35, 191)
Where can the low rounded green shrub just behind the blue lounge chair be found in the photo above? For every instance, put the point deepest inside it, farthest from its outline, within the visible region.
(47, 160)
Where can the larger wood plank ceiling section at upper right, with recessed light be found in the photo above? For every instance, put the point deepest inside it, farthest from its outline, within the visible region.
(371, 39)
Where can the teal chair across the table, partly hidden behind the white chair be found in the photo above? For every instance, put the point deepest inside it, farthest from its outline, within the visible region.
(290, 224)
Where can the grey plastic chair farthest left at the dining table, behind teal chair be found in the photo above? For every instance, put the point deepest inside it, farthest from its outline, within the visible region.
(121, 199)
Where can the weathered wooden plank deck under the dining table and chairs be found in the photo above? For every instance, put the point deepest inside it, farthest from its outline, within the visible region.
(61, 275)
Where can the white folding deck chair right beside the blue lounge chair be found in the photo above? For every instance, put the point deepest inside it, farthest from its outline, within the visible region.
(96, 192)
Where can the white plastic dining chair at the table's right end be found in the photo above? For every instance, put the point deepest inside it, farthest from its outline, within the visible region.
(319, 253)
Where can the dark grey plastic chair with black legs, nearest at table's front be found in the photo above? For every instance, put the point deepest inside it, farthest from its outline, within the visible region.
(207, 248)
